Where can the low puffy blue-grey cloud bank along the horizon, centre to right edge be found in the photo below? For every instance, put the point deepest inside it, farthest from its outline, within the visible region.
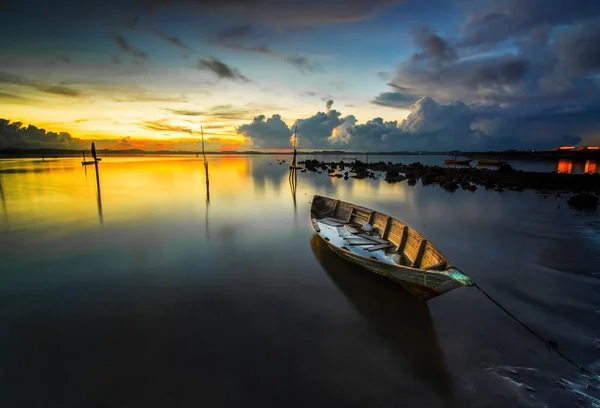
(432, 126)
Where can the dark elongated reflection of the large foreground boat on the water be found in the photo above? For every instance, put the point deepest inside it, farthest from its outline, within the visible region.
(402, 320)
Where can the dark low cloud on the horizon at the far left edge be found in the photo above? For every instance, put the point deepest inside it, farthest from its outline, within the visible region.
(14, 135)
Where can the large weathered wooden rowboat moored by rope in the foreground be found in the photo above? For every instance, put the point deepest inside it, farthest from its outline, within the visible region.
(391, 248)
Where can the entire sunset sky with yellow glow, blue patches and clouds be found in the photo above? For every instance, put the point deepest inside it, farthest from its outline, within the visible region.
(374, 75)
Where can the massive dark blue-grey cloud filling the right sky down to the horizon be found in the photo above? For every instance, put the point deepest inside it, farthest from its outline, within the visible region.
(539, 93)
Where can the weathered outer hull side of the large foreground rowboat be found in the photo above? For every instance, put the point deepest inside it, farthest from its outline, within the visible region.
(423, 285)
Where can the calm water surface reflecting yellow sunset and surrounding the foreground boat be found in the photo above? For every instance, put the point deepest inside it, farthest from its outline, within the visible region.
(158, 294)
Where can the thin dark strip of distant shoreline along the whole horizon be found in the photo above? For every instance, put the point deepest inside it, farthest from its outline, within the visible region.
(504, 155)
